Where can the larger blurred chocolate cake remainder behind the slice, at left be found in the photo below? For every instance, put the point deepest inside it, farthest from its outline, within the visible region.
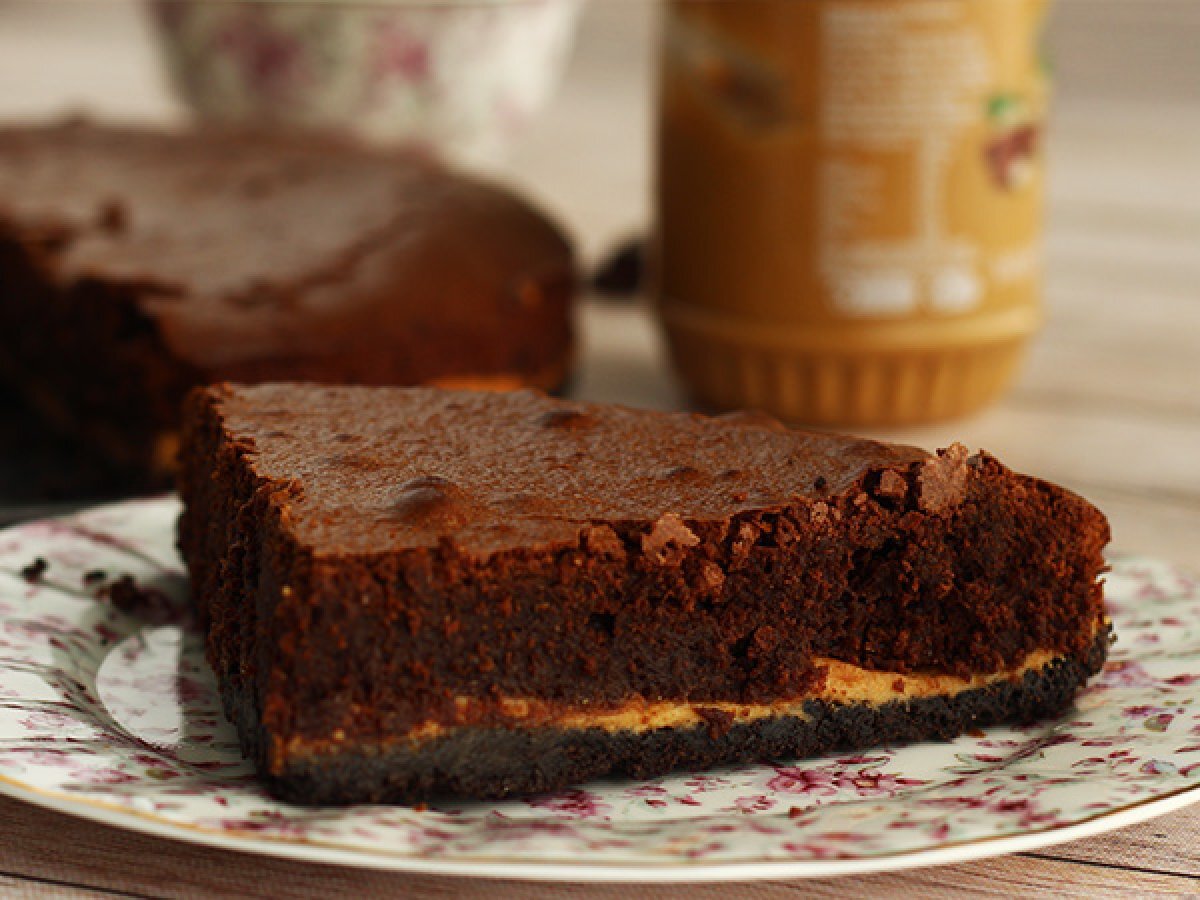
(136, 265)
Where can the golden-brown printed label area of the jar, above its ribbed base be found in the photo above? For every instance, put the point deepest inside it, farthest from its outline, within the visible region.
(824, 161)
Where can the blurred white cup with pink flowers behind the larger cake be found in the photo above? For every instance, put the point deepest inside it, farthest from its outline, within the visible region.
(457, 79)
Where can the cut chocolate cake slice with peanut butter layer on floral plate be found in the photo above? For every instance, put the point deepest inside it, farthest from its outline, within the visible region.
(412, 592)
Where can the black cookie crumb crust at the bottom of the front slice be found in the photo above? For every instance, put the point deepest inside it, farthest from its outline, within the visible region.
(496, 763)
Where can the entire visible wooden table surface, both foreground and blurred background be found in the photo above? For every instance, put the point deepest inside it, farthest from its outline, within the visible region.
(1109, 403)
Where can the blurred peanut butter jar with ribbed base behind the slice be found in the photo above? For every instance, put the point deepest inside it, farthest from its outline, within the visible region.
(850, 203)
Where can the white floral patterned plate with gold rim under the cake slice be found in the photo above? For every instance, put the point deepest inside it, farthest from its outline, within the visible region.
(109, 711)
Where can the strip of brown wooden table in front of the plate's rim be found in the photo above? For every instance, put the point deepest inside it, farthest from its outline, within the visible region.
(127, 863)
